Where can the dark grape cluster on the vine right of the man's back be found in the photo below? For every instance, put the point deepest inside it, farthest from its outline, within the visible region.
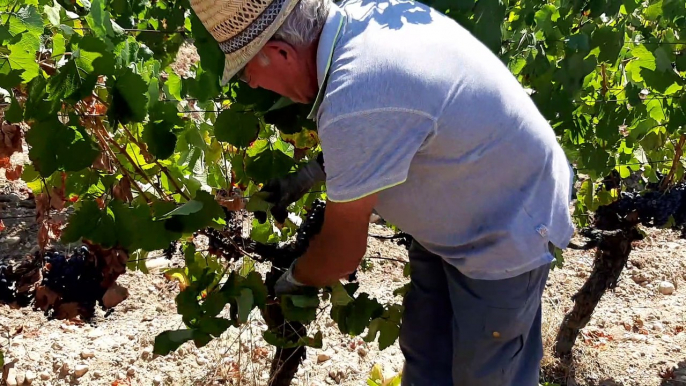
(650, 208)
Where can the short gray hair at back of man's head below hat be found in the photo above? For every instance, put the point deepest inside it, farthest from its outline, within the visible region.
(303, 25)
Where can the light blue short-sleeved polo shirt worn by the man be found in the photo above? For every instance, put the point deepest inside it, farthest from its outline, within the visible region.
(416, 108)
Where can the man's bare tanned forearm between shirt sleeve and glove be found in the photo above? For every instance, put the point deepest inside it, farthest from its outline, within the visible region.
(338, 249)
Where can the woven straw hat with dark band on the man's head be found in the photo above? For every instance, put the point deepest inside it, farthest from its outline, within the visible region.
(241, 27)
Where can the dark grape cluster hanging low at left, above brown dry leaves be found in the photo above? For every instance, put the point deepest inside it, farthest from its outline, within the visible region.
(75, 278)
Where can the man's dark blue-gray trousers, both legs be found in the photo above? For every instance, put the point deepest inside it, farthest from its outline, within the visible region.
(465, 332)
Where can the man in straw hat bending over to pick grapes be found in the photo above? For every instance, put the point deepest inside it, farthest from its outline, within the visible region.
(421, 122)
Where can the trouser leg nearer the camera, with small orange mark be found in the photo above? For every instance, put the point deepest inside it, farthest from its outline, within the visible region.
(496, 329)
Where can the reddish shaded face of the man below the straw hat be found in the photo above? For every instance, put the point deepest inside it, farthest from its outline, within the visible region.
(285, 70)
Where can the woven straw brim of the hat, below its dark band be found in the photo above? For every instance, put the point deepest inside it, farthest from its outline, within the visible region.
(236, 60)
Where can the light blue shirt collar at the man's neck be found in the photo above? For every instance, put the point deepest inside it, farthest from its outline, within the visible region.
(327, 43)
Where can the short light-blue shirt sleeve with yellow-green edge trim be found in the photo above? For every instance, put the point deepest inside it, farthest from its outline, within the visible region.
(369, 151)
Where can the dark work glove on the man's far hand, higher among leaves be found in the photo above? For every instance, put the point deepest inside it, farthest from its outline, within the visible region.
(289, 189)
